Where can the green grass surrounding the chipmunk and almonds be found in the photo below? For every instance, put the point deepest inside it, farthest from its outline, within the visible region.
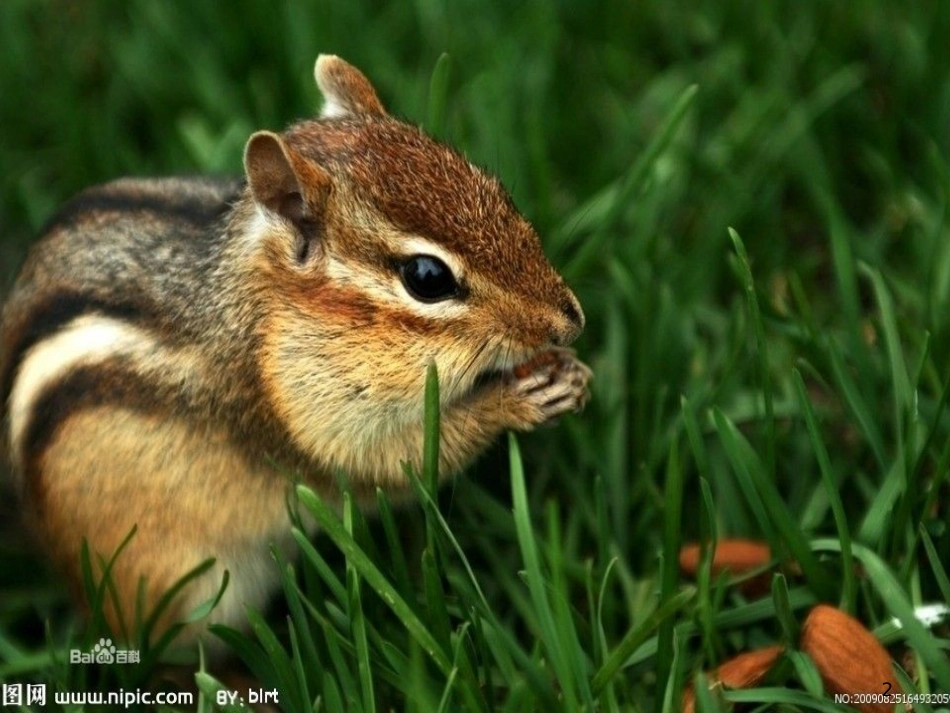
(751, 202)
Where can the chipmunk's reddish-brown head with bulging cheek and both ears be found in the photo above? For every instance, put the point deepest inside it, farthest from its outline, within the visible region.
(385, 251)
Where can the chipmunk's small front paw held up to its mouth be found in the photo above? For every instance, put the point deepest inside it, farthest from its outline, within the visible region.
(546, 387)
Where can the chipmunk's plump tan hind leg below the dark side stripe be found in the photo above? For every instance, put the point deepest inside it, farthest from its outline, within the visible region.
(180, 492)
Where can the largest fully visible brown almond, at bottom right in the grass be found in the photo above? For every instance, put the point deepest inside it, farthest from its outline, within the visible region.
(848, 656)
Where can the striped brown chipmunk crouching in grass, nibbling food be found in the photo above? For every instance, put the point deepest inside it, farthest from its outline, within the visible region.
(174, 347)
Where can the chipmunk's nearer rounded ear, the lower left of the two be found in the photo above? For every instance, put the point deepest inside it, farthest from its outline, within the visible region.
(283, 181)
